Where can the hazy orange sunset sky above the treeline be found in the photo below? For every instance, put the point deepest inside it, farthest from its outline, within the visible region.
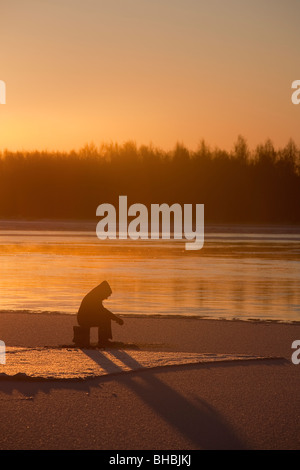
(151, 71)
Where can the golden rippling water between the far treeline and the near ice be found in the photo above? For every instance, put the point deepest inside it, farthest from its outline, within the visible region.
(239, 273)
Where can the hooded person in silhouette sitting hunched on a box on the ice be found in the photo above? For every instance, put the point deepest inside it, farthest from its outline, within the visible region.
(92, 313)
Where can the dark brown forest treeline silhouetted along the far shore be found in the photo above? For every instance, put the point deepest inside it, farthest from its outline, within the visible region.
(258, 186)
